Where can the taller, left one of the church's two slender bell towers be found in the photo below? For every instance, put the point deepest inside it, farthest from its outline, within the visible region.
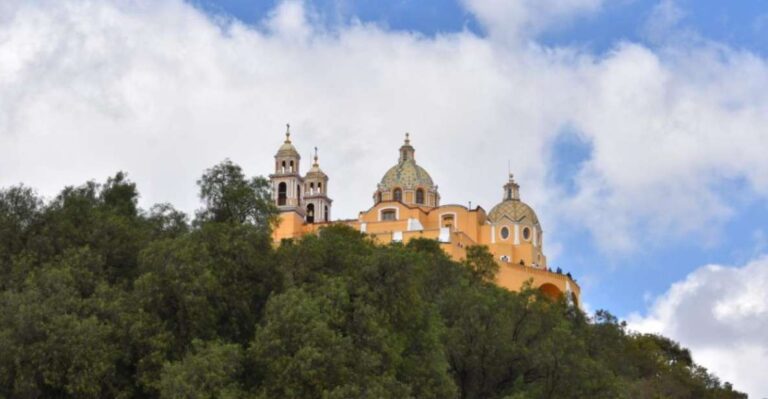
(287, 183)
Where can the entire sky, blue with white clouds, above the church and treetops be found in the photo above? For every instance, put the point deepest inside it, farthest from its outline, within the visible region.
(638, 129)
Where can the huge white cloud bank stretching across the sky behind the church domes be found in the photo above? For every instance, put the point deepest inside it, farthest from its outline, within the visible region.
(163, 91)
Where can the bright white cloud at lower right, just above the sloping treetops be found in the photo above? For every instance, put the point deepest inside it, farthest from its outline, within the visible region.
(721, 314)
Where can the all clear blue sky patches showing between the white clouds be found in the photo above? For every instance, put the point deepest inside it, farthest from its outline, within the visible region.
(622, 285)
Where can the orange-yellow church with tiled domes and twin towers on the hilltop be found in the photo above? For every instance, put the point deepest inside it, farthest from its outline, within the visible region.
(406, 205)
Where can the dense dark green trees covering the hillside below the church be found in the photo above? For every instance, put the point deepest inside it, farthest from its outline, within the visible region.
(102, 299)
